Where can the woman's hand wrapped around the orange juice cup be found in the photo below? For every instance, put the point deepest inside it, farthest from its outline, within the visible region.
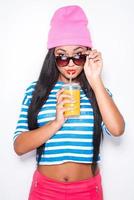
(60, 109)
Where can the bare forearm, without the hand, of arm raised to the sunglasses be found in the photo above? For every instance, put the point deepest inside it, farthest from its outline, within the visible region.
(111, 116)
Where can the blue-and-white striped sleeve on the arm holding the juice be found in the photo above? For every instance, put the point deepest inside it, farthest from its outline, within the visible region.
(22, 124)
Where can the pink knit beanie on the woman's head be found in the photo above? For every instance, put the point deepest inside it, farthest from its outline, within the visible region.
(69, 27)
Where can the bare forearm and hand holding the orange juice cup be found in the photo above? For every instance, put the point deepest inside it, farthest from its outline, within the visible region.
(30, 140)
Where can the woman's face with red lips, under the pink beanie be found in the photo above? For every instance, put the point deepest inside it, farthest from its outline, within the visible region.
(69, 69)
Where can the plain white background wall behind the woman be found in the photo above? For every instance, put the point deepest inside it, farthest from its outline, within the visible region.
(24, 26)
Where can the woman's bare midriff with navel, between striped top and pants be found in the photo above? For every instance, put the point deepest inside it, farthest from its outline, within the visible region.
(67, 172)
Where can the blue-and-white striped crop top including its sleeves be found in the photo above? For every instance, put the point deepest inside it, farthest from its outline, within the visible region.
(74, 140)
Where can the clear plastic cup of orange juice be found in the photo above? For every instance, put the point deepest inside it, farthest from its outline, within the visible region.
(72, 89)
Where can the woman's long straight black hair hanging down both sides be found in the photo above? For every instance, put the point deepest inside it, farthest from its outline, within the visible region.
(47, 79)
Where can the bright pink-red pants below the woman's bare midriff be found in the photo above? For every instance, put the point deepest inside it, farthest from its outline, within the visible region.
(44, 188)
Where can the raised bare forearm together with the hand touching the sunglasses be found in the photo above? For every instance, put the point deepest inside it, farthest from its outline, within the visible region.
(111, 116)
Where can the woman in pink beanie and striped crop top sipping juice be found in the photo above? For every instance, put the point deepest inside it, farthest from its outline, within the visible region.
(67, 148)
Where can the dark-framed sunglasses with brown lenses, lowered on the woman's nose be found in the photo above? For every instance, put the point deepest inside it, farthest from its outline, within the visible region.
(63, 60)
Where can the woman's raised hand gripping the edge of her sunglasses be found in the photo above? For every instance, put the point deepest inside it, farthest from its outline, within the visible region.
(93, 66)
